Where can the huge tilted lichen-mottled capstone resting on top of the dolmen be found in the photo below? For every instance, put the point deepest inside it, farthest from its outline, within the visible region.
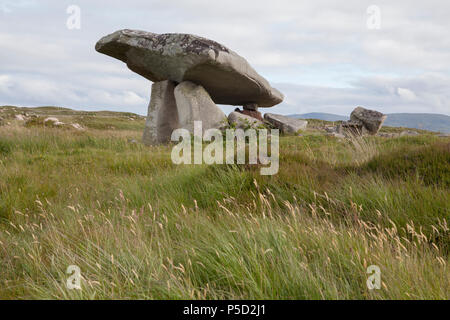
(226, 76)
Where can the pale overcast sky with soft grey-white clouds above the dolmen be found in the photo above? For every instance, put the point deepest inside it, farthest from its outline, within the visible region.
(323, 55)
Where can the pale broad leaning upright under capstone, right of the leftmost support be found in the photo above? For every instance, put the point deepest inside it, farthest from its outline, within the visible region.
(195, 104)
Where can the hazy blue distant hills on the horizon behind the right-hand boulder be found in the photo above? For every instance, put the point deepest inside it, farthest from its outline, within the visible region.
(424, 121)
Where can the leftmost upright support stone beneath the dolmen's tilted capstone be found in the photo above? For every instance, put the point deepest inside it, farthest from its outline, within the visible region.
(162, 116)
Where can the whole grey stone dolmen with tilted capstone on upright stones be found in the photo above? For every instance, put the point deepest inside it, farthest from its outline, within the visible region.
(190, 76)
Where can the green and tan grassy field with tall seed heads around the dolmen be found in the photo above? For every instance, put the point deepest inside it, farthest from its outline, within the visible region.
(141, 227)
